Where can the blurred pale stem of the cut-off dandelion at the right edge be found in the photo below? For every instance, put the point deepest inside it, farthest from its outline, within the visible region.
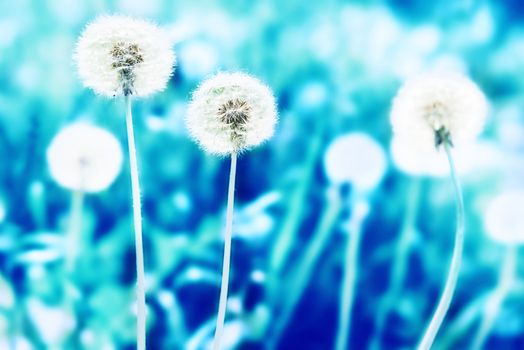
(493, 304)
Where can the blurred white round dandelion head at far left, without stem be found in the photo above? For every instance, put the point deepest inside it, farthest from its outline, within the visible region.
(84, 157)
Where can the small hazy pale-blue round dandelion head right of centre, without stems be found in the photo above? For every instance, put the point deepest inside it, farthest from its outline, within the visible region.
(357, 159)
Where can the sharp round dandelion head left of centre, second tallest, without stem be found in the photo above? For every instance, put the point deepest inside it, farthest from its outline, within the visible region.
(231, 112)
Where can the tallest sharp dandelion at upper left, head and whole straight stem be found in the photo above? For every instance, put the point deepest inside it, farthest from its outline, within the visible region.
(123, 56)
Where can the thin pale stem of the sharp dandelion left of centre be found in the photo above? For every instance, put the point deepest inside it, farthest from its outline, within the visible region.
(227, 254)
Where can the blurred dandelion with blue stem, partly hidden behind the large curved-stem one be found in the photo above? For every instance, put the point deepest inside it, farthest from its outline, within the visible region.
(420, 163)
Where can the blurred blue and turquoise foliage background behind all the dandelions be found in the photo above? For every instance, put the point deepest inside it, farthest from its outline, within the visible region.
(335, 66)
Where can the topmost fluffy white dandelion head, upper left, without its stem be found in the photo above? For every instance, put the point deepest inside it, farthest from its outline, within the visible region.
(119, 55)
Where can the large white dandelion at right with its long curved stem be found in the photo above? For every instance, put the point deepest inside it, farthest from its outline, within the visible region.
(439, 112)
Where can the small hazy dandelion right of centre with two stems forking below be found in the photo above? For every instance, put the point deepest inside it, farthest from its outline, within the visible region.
(352, 159)
